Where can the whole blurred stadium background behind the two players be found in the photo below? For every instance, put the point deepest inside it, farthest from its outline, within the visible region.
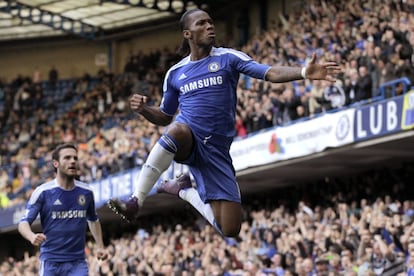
(325, 170)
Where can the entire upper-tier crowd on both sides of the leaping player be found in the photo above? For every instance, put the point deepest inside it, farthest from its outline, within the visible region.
(372, 40)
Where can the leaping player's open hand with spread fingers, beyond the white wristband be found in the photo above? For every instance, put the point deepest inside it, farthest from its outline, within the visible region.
(325, 71)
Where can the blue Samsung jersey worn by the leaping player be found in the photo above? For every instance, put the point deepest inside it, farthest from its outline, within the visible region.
(205, 90)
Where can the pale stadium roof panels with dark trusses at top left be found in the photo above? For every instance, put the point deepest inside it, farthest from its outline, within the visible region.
(92, 19)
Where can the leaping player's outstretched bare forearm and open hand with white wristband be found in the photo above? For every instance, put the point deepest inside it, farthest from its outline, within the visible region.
(325, 71)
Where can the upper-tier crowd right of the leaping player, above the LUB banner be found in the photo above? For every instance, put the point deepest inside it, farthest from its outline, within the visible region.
(372, 40)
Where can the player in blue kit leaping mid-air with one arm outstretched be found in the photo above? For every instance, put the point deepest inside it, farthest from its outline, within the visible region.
(203, 87)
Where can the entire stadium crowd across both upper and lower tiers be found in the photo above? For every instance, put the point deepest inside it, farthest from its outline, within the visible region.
(372, 40)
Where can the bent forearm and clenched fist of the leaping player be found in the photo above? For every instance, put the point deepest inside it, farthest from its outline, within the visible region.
(138, 104)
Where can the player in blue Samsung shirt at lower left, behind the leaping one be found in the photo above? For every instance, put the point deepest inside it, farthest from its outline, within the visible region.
(65, 206)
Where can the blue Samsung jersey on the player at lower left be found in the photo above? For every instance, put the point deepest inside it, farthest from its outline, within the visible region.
(63, 216)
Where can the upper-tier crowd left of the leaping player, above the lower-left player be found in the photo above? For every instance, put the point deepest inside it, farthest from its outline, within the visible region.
(98, 121)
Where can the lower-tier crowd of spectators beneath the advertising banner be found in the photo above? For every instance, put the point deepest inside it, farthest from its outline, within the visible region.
(360, 225)
